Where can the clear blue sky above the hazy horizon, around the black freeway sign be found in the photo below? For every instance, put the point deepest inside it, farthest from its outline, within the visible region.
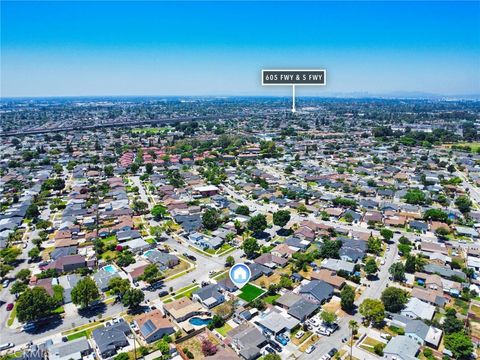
(219, 48)
